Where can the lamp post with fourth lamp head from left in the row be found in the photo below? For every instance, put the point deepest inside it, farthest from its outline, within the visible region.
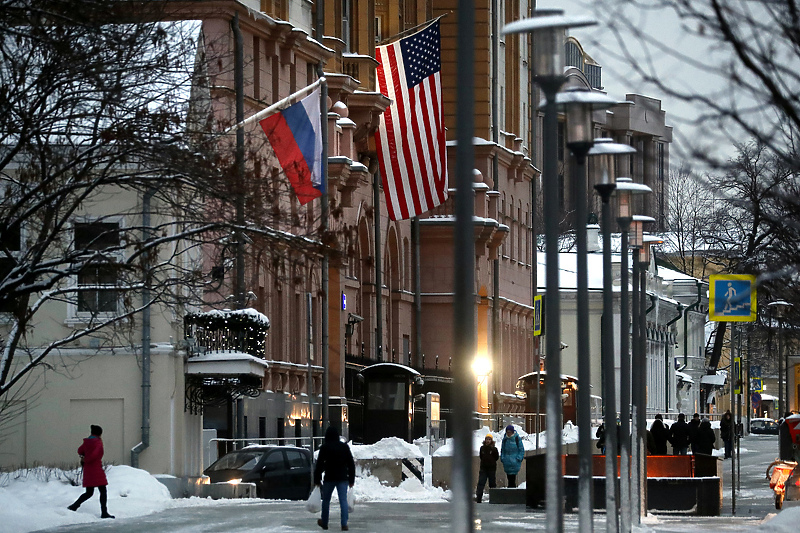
(625, 191)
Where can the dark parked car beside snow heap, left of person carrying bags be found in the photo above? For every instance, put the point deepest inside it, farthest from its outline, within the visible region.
(279, 472)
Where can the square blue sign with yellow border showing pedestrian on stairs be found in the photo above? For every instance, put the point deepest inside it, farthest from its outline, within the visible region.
(732, 298)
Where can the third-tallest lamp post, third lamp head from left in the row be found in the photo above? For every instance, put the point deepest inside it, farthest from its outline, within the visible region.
(606, 150)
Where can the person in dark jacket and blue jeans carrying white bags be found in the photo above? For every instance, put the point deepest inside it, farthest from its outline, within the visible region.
(335, 460)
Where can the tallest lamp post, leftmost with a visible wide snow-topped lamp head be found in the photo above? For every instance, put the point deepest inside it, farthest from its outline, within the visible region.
(548, 68)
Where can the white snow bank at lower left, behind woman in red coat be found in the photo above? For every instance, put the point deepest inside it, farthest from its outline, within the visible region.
(28, 503)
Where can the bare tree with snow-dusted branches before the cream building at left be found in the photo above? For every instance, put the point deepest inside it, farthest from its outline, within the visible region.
(115, 182)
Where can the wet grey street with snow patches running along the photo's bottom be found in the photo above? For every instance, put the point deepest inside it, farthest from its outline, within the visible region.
(754, 503)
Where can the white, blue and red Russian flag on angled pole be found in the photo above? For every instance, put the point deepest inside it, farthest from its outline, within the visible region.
(295, 134)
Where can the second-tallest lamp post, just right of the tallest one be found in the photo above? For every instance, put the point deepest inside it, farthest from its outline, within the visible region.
(579, 105)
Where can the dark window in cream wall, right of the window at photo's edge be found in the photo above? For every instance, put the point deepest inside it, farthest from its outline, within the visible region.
(100, 270)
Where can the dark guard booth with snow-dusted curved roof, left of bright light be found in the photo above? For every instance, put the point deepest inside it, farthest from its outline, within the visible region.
(388, 401)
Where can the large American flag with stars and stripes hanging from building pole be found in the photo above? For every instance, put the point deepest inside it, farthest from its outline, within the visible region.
(411, 137)
